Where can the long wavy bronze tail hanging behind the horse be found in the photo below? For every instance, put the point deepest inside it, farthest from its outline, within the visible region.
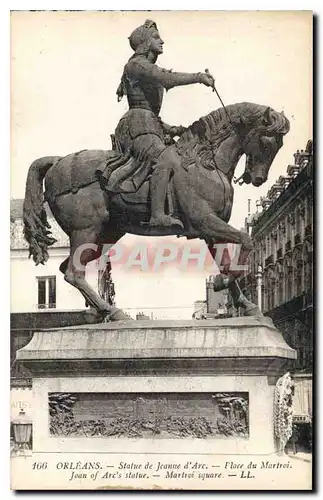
(36, 226)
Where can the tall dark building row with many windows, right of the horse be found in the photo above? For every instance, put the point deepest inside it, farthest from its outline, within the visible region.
(281, 268)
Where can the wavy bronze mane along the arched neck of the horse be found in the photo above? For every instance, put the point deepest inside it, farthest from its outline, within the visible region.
(205, 135)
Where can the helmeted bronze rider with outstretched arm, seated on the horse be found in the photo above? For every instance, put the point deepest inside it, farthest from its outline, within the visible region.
(140, 130)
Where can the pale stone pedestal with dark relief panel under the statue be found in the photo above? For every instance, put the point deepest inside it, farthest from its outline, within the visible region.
(128, 386)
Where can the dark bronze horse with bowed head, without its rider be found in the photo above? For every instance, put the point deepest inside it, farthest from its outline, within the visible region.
(202, 196)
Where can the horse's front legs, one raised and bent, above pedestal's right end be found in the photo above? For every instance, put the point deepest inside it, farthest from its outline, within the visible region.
(218, 234)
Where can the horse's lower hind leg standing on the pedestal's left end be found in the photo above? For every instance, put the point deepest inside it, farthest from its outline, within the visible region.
(83, 250)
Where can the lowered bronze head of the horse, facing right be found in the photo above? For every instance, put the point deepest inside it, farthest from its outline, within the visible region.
(261, 143)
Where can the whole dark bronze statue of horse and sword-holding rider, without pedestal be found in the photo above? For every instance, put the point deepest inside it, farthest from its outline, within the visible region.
(157, 180)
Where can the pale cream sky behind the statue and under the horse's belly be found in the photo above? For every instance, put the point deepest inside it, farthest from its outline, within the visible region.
(65, 69)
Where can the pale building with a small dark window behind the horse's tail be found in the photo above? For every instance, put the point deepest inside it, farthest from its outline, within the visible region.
(40, 297)
